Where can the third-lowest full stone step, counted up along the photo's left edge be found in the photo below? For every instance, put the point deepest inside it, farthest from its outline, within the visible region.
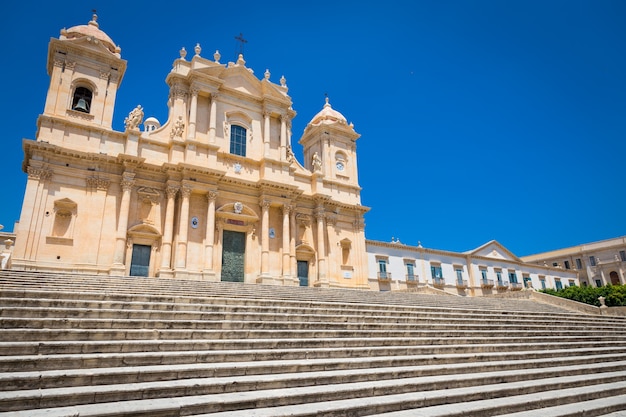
(385, 356)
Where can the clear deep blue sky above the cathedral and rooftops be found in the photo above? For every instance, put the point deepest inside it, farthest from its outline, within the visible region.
(480, 119)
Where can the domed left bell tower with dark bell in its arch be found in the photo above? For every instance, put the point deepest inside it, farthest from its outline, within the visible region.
(85, 69)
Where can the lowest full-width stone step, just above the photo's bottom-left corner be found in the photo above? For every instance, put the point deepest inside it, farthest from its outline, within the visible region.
(59, 397)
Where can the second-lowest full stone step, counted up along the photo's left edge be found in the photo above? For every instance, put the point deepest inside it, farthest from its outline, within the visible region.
(292, 371)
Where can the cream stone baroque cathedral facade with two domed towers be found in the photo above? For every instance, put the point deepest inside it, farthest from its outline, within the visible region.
(213, 193)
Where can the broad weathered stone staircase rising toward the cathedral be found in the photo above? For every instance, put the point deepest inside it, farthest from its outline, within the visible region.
(80, 345)
